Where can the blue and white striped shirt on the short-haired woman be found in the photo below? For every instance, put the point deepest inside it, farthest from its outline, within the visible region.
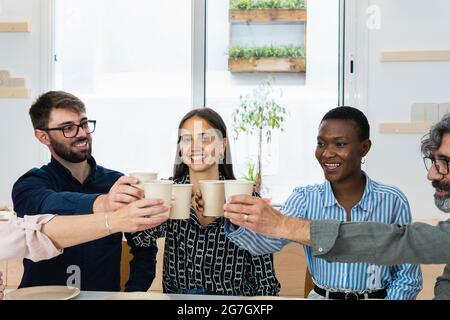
(380, 203)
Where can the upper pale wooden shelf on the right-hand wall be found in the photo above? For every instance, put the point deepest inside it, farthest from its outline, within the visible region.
(414, 56)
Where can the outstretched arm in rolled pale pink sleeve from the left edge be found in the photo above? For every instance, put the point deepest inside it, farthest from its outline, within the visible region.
(42, 237)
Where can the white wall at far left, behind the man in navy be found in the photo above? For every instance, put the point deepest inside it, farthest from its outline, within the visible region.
(21, 54)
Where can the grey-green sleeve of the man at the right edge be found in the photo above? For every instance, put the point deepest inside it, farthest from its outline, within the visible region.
(379, 243)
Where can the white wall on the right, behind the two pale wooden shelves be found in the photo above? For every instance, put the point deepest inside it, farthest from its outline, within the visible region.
(392, 88)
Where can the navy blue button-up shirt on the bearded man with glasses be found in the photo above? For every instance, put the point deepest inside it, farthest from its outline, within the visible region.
(52, 189)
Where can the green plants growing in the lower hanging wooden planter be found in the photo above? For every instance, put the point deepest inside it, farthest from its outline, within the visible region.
(239, 52)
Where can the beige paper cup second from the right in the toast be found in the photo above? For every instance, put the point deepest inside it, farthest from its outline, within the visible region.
(213, 194)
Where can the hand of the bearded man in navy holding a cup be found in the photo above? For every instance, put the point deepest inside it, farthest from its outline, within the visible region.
(120, 194)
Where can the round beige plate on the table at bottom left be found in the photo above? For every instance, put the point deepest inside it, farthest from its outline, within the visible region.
(44, 293)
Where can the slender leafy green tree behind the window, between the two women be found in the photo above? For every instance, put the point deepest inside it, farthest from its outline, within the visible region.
(258, 114)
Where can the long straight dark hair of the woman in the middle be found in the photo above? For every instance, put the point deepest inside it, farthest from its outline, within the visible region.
(215, 120)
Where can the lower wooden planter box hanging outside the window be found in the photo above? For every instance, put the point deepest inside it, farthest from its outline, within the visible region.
(289, 65)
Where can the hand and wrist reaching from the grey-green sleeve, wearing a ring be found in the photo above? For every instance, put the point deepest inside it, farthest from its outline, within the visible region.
(255, 214)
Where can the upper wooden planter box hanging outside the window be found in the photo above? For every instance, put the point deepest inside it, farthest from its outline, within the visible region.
(267, 15)
